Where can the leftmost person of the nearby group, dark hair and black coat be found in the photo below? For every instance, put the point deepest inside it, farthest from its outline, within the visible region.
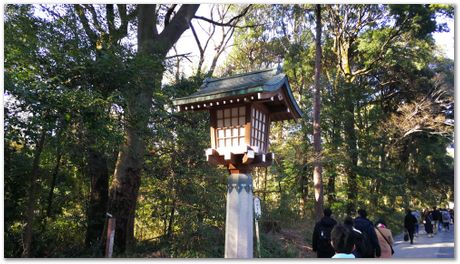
(321, 241)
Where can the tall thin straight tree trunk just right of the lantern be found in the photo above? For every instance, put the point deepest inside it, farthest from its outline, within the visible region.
(317, 170)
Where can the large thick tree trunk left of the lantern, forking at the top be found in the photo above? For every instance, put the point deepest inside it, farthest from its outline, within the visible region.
(127, 176)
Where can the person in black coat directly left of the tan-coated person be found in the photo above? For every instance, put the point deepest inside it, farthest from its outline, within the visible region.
(367, 228)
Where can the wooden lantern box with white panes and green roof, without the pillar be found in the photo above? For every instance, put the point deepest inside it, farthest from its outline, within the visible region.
(241, 108)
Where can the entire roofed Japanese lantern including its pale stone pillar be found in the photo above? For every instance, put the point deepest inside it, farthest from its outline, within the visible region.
(241, 108)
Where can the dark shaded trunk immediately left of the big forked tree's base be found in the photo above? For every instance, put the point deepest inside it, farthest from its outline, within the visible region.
(99, 175)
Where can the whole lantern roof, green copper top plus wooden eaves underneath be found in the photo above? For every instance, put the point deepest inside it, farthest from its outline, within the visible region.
(269, 87)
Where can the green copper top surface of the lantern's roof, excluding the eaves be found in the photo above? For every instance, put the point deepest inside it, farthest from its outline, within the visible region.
(270, 80)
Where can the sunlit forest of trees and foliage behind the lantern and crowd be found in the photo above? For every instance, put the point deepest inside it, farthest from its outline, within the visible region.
(90, 130)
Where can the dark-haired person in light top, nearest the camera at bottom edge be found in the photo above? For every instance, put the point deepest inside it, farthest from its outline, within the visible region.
(342, 242)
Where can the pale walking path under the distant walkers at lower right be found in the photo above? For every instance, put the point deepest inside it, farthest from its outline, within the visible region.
(441, 245)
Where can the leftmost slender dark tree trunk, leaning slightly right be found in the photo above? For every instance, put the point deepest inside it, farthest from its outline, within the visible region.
(31, 203)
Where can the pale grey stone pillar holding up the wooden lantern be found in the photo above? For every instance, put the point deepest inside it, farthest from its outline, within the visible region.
(239, 217)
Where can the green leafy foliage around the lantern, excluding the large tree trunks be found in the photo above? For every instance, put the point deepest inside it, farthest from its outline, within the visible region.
(56, 82)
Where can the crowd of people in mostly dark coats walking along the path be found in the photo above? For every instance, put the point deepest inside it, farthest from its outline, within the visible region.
(360, 238)
